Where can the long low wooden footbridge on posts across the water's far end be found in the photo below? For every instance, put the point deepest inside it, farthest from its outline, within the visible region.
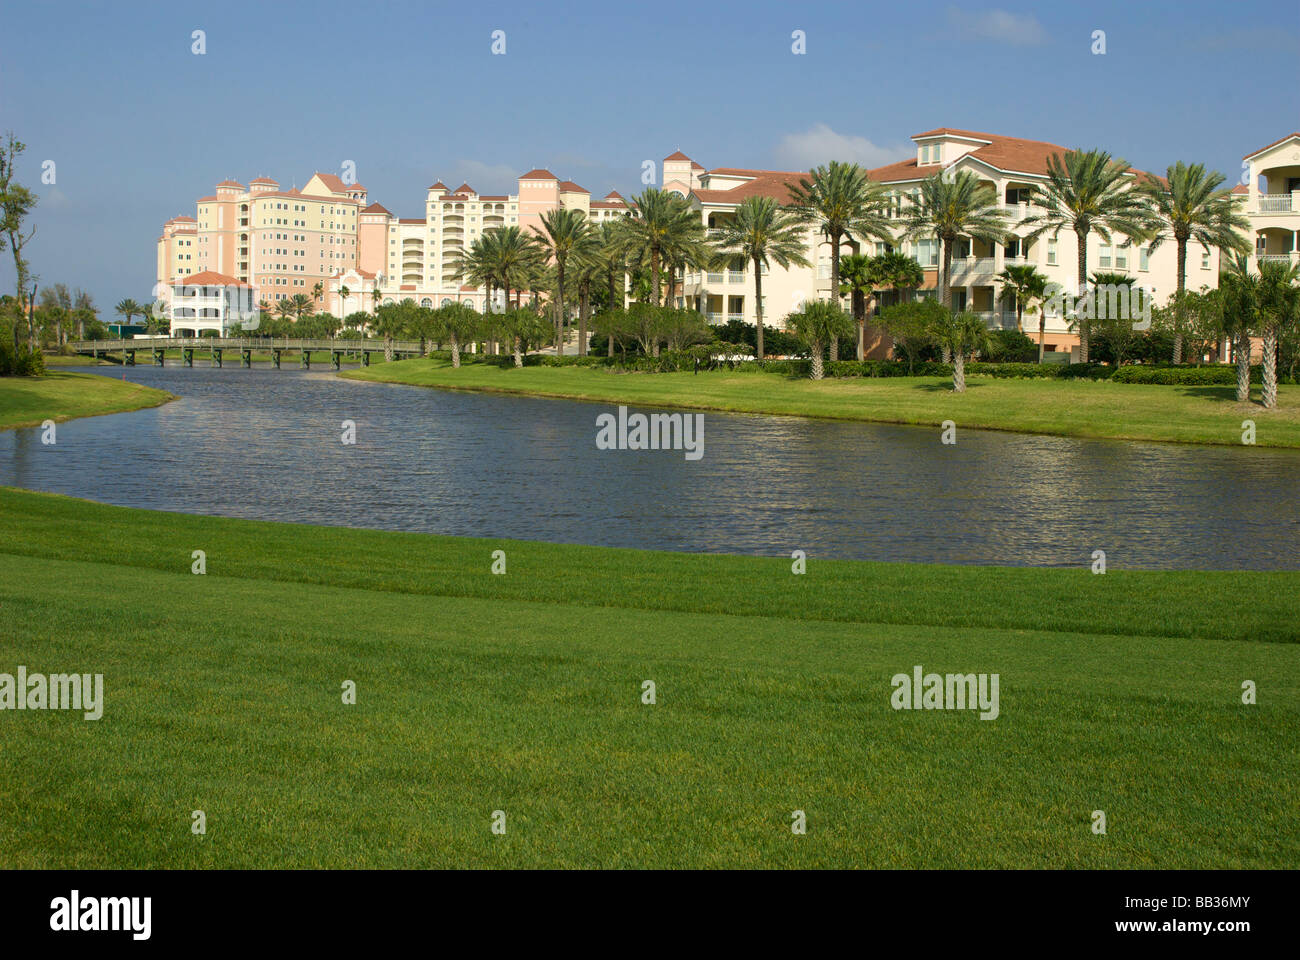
(214, 349)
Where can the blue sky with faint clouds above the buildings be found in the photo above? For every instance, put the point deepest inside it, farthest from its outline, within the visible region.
(138, 127)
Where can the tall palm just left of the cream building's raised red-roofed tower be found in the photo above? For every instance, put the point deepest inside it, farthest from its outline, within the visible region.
(843, 202)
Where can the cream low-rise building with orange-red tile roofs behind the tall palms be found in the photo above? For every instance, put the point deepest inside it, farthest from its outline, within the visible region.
(1009, 166)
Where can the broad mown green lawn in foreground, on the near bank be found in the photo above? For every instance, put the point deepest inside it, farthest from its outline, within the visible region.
(522, 693)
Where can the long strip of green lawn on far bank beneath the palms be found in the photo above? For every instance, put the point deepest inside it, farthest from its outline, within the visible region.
(1060, 408)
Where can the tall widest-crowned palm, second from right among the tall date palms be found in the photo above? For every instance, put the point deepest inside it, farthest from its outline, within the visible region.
(1087, 192)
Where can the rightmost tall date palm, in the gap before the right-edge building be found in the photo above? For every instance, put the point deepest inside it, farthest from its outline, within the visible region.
(1193, 206)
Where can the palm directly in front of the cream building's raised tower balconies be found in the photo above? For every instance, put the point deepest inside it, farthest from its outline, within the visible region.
(950, 206)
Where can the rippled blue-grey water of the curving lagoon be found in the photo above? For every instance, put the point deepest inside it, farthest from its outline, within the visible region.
(266, 444)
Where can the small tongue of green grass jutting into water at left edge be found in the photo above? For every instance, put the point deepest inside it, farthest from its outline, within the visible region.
(62, 396)
